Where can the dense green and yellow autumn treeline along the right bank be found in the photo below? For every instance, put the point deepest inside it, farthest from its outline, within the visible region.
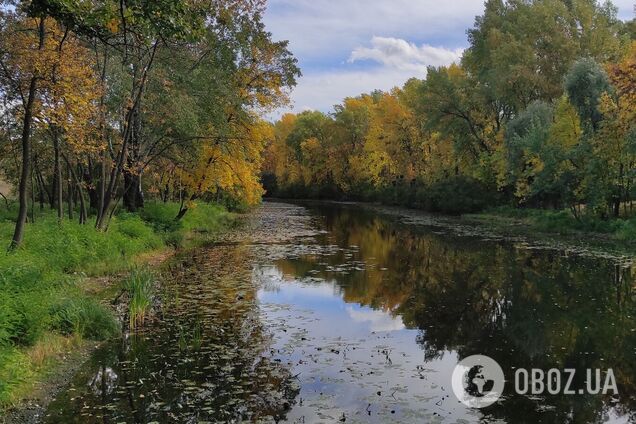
(541, 112)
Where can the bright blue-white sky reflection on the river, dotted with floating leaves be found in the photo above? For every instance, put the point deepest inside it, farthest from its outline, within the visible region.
(353, 359)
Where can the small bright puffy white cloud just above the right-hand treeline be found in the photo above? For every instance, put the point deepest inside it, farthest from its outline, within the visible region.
(402, 55)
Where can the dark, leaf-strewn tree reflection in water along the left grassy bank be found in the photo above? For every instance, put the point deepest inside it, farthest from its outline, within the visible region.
(207, 359)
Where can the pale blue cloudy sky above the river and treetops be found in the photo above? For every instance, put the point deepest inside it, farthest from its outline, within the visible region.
(349, 47)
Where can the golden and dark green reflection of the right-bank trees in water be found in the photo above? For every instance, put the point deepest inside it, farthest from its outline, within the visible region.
(525, 308)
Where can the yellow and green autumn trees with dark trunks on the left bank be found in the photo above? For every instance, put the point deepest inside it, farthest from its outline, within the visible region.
(103, 102)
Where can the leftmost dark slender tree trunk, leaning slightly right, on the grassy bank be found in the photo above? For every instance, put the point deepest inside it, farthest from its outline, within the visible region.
(18, 234)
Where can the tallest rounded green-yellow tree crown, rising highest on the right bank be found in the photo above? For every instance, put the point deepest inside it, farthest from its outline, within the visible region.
(520, 50)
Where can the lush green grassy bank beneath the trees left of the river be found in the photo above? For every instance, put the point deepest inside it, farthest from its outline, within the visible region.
(46, 308)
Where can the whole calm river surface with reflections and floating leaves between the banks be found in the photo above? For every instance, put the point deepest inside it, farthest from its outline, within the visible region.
(333, 314)
